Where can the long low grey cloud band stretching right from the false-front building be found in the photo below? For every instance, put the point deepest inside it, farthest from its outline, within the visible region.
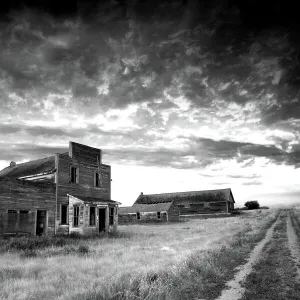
(205, 152)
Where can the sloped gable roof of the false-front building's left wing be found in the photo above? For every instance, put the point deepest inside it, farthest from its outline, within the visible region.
(39, 166)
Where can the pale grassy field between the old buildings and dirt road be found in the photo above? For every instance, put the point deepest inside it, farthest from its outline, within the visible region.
(172, 261)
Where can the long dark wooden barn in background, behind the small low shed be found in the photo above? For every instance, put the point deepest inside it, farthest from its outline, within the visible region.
(194, 203)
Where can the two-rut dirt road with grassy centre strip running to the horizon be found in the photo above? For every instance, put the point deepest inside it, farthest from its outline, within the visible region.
(273, 268)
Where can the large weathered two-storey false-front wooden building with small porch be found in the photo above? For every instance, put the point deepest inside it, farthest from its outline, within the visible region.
(59, 195)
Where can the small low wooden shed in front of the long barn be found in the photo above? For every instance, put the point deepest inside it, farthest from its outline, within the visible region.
(159, 212)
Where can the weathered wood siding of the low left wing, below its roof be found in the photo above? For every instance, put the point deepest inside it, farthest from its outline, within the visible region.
(28, 196)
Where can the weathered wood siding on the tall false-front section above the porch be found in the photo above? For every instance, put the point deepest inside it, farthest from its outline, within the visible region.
(86, 181)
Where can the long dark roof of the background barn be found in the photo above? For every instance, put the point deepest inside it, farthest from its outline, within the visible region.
(201, 196)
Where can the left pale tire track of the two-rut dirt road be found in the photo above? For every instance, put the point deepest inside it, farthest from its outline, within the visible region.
(234, 289)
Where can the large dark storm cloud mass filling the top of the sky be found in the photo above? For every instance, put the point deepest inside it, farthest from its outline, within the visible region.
(141, 48)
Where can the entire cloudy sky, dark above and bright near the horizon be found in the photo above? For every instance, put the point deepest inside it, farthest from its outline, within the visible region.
(180, 95)
